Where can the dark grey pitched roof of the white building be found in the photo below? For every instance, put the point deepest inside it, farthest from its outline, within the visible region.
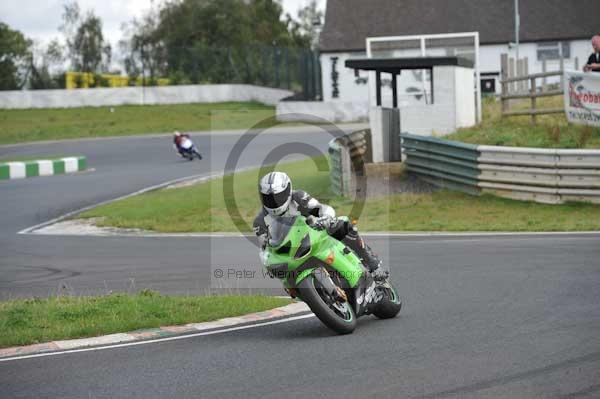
(349, 22)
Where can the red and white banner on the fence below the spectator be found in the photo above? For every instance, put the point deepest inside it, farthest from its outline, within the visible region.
(582, 97)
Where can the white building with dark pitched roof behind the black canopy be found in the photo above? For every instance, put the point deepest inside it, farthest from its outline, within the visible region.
(548, 28)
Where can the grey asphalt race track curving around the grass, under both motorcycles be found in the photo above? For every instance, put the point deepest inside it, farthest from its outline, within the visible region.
(484, 317)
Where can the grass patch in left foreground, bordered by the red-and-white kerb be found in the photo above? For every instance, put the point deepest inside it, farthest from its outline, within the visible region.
(30, 321)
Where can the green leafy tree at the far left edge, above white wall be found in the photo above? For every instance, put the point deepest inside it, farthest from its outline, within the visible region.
(15, 55)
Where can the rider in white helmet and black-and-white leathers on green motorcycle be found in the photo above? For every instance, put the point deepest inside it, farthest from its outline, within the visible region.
(278, 199)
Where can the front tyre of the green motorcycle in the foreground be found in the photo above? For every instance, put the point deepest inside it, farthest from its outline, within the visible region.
(338, 316)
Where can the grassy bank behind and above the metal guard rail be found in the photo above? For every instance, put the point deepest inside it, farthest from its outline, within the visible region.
(550, 131)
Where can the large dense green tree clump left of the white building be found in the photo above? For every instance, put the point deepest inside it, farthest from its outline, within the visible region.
(215, 41)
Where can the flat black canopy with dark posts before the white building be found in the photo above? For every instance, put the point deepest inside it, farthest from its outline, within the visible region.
(394, 66)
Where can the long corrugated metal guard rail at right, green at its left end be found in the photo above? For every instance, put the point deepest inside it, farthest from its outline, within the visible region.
(543, 175)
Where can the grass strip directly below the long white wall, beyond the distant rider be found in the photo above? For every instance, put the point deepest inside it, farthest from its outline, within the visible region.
(26, 125)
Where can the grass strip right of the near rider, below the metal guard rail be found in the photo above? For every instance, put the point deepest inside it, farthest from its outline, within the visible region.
(457, 212)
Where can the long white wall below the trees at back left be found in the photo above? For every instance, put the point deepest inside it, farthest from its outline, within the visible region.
(140, 96)
